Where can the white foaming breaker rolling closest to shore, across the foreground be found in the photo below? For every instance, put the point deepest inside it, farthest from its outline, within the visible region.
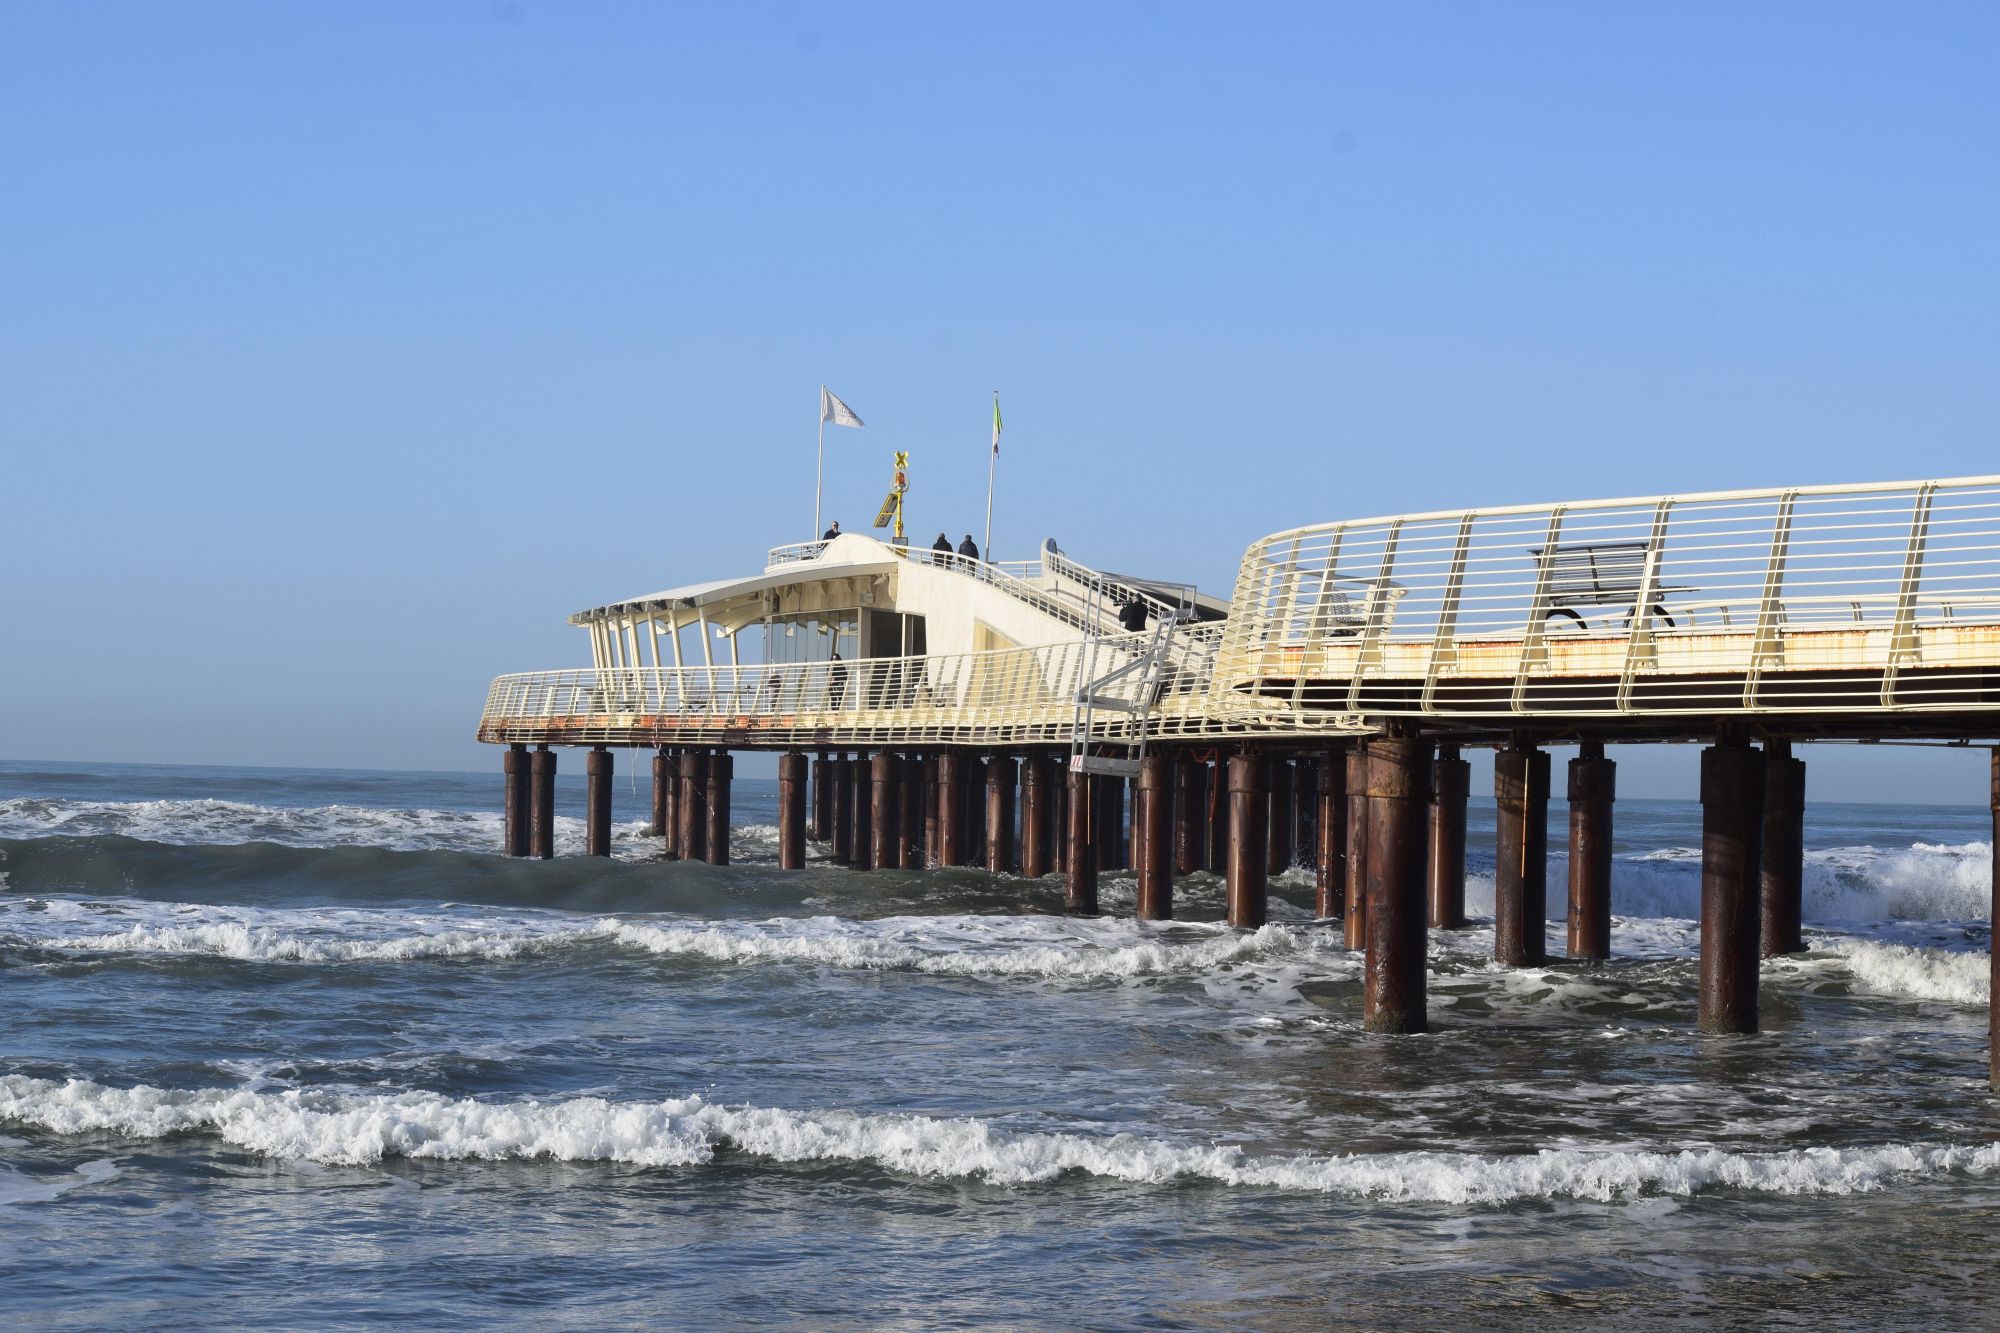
(691, 1132)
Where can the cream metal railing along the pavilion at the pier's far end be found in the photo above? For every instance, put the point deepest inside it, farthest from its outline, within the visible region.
(1009, 696)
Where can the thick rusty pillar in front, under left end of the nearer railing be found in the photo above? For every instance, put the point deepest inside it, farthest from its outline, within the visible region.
(1399, 826)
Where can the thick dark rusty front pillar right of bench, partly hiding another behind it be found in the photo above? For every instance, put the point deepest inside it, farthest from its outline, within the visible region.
(1733, 834)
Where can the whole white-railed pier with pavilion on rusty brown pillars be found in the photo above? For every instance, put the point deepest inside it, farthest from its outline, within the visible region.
(941, 712)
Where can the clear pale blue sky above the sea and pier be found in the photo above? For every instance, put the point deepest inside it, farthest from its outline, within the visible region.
(345, 349)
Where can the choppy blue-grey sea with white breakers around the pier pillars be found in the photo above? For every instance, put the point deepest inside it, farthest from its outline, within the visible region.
(299, 1050)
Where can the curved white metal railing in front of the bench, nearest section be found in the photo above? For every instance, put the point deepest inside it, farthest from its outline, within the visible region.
(1879, 597)
